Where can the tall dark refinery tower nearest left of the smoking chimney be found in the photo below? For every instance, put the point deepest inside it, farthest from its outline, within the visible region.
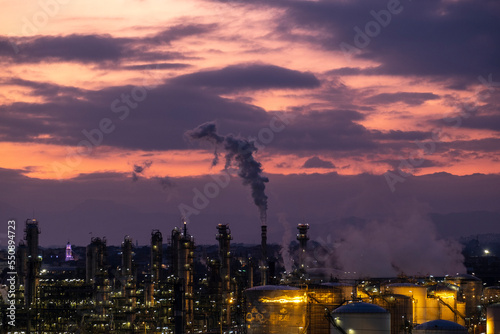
(224, 238)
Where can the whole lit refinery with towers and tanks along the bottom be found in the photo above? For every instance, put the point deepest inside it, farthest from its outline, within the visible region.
(174, 286)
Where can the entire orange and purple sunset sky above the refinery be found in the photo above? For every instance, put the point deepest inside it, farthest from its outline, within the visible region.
(361, 116)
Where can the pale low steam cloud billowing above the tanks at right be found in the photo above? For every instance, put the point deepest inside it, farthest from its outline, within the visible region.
(409, 246)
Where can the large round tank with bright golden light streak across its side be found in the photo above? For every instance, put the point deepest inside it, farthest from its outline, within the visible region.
(275, 309)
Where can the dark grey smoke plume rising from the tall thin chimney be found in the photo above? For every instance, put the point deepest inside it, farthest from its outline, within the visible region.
(241, 152)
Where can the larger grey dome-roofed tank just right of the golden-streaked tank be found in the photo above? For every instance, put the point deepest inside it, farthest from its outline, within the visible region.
(361, 318)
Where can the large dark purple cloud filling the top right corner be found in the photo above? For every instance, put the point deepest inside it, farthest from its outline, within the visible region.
(426, 38)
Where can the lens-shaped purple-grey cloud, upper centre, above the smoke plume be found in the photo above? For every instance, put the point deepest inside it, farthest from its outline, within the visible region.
(249, 76)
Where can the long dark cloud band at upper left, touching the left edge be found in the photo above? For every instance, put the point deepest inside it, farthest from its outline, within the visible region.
(103, 50)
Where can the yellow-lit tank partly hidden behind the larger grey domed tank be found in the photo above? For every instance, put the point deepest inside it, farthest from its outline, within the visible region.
(419, 295)
